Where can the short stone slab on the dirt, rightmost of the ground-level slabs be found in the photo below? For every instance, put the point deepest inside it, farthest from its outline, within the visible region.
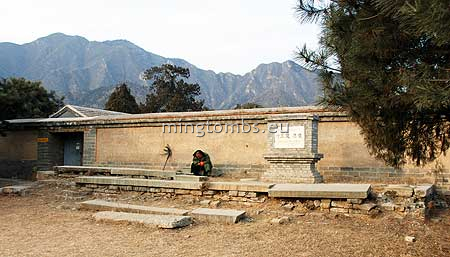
(226, 216)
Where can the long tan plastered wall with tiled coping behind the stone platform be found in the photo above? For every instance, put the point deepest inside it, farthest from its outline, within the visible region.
(138, 141)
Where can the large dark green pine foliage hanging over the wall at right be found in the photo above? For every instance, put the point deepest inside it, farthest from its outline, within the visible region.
(394, 60)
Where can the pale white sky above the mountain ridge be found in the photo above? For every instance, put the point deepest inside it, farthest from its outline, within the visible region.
(223, 36)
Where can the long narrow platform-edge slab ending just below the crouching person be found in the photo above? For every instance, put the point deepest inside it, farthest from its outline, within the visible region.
(119, 181)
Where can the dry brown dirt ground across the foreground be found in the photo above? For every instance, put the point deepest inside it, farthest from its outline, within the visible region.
(40, 224)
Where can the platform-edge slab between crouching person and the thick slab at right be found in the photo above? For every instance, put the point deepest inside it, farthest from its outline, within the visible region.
(243, 186)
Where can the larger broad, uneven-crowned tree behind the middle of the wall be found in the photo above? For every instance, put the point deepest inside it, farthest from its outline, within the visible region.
(169, 92)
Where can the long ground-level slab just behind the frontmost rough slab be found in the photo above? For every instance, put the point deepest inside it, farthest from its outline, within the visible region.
(101, 205)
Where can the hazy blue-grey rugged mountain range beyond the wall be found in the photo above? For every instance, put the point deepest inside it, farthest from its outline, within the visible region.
(85, 72)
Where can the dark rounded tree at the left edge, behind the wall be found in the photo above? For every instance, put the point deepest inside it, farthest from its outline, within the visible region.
(21, 98)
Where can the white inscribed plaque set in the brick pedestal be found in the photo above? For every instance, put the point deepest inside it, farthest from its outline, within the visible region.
(294, 137)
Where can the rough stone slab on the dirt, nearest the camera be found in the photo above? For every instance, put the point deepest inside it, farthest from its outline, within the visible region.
(161, 221)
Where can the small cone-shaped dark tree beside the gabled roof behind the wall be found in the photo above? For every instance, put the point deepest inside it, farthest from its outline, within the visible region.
(121, 100)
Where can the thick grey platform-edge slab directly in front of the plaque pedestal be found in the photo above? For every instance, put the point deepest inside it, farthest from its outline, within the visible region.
(354, 191)
